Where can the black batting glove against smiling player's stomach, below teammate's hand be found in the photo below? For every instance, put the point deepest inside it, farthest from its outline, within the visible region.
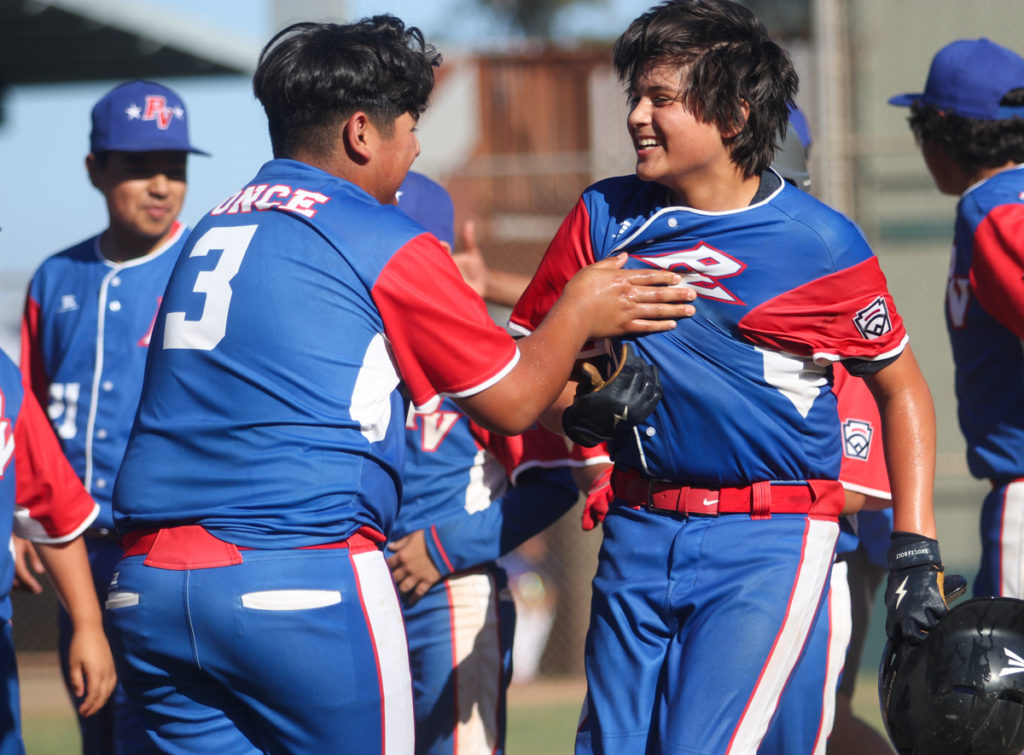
(606, 406)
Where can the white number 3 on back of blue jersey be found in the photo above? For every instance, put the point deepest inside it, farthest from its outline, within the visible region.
(207, 332)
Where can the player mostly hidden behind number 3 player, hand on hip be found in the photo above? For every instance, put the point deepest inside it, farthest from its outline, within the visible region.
(468, 497)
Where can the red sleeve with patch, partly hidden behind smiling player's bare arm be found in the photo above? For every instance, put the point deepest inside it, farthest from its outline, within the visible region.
(864, 465)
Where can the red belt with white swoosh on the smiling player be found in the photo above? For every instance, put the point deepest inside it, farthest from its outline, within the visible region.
(818, 498)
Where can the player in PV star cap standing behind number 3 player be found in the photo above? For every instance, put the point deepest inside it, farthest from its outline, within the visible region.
(89, 319)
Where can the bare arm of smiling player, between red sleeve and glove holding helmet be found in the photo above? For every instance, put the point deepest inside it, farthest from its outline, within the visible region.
(909, 433)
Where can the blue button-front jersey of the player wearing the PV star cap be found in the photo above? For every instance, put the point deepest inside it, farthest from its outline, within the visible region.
(86, 337)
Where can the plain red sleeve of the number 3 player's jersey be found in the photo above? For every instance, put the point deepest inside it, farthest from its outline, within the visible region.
(440, 331)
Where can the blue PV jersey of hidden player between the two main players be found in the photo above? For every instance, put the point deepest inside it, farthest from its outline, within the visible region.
(477, 493)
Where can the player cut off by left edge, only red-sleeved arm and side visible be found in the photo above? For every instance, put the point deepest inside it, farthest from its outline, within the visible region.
(44, 501)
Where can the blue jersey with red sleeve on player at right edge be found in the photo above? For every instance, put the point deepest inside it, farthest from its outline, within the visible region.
(986, 320)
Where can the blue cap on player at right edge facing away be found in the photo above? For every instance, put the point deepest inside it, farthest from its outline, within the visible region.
(969, 78)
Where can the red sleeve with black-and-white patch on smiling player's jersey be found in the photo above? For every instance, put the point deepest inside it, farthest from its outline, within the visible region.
(846, 315)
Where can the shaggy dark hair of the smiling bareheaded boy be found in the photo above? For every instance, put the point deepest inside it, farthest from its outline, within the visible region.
(728, 59)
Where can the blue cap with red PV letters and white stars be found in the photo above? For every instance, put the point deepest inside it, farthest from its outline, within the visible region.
(141, 116)
